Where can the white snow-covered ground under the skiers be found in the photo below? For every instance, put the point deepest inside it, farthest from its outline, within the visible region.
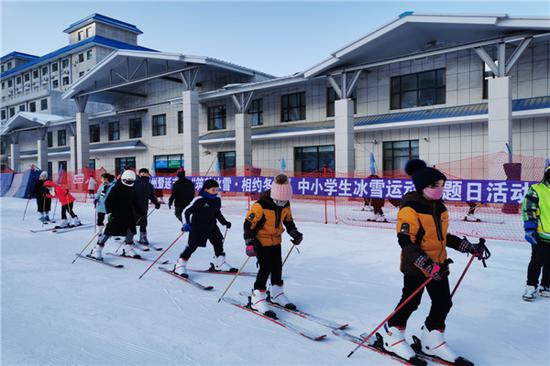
(58, 313)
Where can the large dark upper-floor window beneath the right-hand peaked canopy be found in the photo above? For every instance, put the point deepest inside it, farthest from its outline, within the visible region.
(419, 89)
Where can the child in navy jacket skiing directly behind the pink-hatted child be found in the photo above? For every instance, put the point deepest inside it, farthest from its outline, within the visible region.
(200, 221)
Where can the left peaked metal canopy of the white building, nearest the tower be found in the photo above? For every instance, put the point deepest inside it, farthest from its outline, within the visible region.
(128, 73)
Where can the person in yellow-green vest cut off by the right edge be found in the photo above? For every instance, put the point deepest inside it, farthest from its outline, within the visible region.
(536, 223)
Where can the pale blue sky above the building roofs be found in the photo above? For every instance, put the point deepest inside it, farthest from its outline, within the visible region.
(275, 37)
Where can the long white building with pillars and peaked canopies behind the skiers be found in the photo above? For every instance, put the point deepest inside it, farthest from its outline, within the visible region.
(446, 88)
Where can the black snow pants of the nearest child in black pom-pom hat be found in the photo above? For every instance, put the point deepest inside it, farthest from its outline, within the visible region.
(441, 302)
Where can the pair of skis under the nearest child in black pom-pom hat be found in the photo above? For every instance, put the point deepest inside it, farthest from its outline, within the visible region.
(376, 346)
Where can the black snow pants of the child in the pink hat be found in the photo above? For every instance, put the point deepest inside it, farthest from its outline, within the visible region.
(270, 263)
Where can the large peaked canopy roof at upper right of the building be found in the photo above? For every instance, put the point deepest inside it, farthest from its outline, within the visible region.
(428, 32)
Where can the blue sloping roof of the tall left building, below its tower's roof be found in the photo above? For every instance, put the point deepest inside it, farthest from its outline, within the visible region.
(95, 40)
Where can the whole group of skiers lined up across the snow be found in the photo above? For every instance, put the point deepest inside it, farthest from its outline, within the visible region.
(422, 234)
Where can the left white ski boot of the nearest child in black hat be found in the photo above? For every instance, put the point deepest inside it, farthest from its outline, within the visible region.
(392, 340)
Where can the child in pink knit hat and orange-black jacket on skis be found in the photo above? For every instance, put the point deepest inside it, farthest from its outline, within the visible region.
(263, 228)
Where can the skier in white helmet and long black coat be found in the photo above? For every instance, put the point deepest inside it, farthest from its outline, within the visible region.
(120, 204)
